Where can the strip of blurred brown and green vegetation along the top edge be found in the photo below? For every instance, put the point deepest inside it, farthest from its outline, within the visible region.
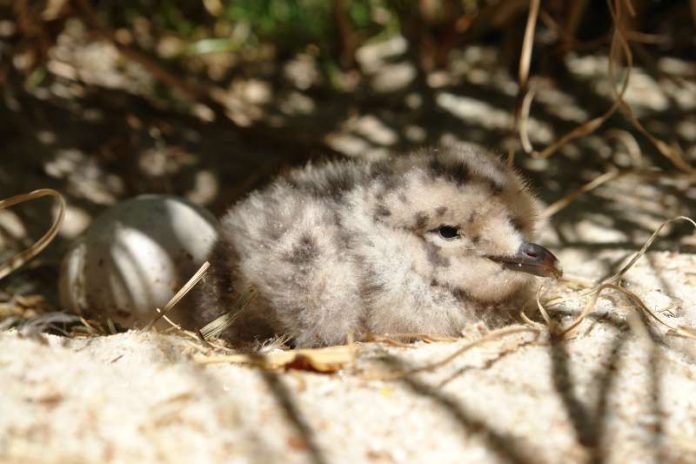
(184, 33)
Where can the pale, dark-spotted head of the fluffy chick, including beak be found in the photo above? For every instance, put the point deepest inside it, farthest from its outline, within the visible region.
(466, 220)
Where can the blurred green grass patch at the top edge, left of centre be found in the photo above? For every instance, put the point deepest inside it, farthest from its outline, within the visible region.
(211, 26)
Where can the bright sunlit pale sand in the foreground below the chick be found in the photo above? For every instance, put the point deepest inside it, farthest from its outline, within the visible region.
(607, 395)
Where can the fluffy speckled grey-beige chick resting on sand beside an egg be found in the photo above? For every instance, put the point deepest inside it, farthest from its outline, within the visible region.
(420, 244)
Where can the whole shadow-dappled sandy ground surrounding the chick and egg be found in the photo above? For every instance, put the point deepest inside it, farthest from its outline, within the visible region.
(616, 392)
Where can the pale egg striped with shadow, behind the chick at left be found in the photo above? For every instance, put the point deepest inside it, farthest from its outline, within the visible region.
(134, 257)
